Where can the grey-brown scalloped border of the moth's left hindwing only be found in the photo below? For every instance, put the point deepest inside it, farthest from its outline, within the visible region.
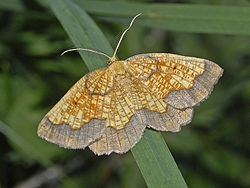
(119, 141)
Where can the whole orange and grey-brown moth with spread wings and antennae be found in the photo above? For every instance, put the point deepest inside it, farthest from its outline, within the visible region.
(109, 108)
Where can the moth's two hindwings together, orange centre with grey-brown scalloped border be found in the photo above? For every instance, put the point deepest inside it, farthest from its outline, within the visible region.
(132, 109)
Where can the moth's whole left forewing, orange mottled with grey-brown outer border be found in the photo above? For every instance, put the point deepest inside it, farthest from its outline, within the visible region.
(79, 115)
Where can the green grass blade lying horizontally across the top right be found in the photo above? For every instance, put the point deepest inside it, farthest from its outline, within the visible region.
(175, 17)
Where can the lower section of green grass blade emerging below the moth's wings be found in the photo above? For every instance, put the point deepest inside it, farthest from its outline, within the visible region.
(156, 162)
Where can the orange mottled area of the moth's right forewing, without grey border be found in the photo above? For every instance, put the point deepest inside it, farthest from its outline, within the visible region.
(173, 72)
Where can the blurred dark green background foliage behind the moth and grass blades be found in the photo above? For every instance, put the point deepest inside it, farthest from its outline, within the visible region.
(212, 151)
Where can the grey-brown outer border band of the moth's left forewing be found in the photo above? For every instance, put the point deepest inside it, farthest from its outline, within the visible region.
(66, 137)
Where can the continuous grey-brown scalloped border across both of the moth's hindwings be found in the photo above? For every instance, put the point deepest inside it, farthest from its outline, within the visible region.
(120, 141)
